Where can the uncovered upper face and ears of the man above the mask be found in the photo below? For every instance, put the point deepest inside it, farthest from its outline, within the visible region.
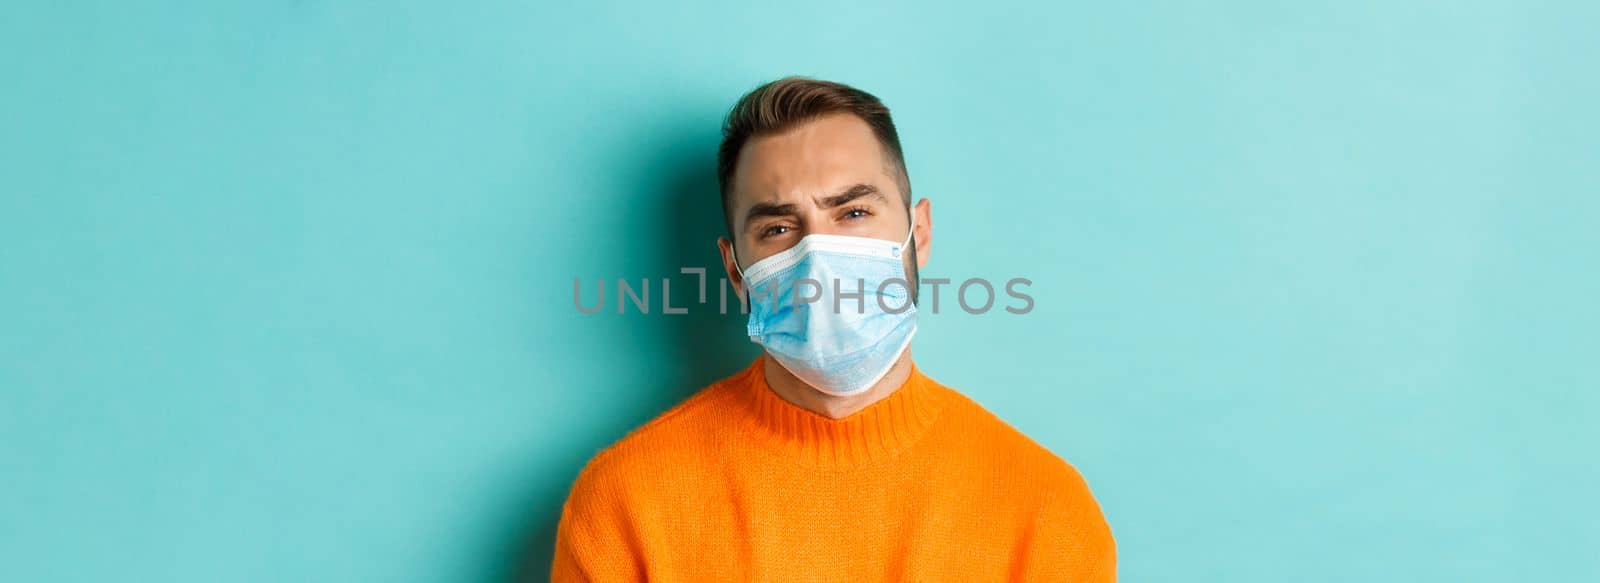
(823, 177)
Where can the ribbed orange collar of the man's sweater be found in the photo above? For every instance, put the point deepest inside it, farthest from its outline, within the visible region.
(871, 435)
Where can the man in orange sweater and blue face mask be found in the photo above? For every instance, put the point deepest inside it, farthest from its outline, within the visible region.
(833, 457)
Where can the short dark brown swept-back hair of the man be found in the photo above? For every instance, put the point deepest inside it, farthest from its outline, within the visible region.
(791, 102)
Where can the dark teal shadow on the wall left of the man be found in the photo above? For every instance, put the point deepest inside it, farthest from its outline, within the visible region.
(684, 212)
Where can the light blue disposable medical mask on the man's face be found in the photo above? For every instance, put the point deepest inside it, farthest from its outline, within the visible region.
(836, 312)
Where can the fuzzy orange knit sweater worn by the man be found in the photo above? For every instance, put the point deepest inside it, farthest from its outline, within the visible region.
(737, 484)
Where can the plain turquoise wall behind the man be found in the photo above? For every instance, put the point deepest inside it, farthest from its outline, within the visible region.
(286, 289)
